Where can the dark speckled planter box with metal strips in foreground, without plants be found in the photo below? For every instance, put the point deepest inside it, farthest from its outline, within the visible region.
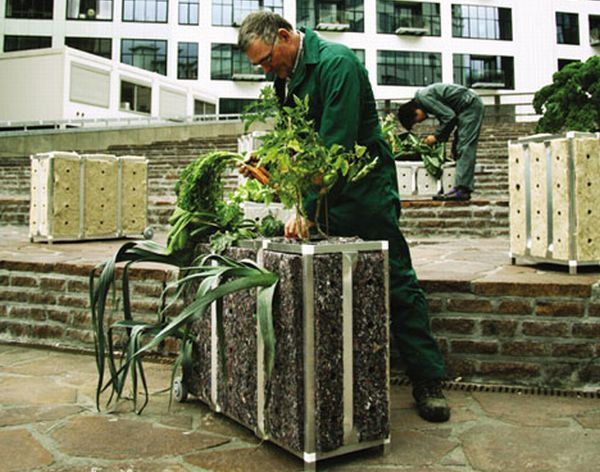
(329, 390)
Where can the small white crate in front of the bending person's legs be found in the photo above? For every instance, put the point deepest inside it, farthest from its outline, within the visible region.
(414, 180)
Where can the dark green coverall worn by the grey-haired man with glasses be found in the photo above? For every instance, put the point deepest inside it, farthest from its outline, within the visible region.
(343, 107)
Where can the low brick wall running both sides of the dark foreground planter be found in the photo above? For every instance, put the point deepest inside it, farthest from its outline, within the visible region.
(516, 333)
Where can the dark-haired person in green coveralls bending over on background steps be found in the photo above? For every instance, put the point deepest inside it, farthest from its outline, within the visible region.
(453, 106)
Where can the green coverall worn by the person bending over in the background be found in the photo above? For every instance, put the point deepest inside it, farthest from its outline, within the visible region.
(456, 106)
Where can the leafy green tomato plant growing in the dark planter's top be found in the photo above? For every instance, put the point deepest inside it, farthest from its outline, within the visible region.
(300, 163)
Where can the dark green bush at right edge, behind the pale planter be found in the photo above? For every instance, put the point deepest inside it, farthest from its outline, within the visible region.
(572, 101)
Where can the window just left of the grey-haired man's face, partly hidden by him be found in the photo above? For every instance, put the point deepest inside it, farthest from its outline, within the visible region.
(229, 63)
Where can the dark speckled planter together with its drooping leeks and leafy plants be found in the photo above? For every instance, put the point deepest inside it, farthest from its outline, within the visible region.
(303, 361)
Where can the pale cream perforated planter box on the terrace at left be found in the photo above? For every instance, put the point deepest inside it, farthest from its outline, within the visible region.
(87, 196)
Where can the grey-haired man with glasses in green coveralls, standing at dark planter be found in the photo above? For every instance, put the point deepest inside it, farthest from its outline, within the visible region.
(342, 105)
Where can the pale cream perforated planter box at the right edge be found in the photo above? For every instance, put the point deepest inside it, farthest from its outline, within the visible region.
(554, 198)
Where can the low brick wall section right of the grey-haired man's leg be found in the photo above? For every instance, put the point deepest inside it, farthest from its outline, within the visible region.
(518, 333)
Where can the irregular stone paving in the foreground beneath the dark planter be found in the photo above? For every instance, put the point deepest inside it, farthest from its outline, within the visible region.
(48, 423)
